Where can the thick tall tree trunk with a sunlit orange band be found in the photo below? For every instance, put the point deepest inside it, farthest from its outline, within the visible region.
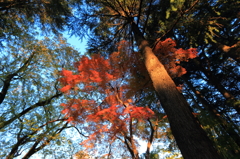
(190, 137)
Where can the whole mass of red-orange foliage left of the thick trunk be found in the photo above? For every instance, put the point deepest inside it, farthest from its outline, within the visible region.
(106, 77)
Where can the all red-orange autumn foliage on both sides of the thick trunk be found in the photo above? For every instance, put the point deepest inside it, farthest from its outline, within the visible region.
(108, 89)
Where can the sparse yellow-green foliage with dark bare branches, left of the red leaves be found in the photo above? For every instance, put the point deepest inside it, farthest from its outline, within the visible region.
(30, 120)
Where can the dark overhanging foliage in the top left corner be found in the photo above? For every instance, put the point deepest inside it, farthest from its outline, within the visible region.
(19, 18)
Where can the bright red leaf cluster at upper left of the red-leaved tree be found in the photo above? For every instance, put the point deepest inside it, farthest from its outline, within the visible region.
(94, 70)
